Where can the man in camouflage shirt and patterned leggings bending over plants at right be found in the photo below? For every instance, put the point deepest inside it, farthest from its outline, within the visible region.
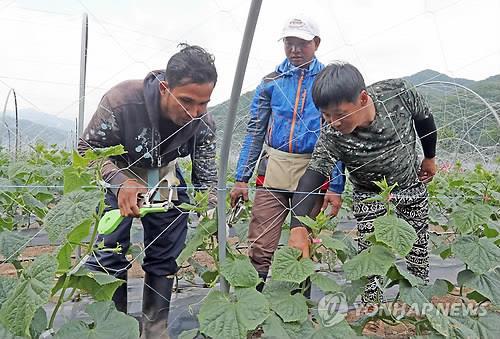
(372, 130)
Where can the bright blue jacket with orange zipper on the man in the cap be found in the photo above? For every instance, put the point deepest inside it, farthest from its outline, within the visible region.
(283, 115)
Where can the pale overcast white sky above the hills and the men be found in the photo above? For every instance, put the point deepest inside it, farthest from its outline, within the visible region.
(40, 41)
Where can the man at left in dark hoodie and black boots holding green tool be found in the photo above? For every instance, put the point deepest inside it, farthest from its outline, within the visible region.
(157, 120)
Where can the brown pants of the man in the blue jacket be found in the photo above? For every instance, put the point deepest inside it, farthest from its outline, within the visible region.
(270, 209)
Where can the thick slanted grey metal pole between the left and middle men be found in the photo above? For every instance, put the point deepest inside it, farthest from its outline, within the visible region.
(246, 44)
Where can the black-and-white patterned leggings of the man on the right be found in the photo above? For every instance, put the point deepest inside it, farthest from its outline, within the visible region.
(411, 205)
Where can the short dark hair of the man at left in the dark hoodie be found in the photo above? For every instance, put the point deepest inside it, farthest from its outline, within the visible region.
(192, 64)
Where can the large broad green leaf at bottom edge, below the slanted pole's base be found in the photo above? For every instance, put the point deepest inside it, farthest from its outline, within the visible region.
(227, 316)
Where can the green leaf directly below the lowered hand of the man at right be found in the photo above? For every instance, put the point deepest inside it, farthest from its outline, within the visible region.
(289, 266)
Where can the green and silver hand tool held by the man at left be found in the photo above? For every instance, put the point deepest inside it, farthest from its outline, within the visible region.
(111, 219)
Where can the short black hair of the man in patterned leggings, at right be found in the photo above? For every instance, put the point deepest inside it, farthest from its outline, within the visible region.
(337, 83)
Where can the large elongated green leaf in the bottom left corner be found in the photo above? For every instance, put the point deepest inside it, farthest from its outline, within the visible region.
(31, 292)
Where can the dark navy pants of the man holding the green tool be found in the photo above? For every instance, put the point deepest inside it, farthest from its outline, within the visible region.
(164, 237)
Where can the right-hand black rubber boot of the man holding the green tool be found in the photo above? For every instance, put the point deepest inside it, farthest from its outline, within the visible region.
(155, 306)
